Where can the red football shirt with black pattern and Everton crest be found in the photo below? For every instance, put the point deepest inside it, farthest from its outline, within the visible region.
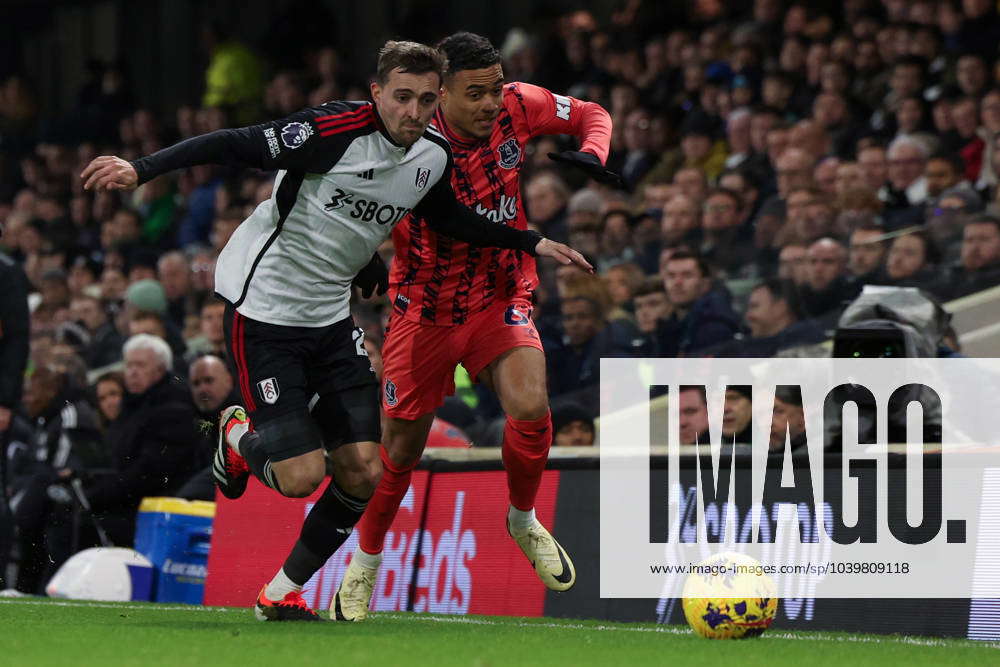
(437, 280)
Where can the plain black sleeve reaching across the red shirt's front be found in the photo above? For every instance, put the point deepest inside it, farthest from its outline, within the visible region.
(443, 213)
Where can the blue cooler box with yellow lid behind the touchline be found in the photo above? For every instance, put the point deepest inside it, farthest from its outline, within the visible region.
(175, 535)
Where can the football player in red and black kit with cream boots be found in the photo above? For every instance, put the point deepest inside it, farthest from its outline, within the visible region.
(453, 303)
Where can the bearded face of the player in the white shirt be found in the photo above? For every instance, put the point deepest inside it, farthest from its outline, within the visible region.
(406, 103)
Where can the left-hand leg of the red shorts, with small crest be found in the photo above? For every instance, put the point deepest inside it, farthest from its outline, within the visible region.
(418, 368)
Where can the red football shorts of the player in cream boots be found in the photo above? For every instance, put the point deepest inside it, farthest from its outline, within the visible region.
(419, 360)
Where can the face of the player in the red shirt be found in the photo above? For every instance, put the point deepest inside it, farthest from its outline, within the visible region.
(472, 99)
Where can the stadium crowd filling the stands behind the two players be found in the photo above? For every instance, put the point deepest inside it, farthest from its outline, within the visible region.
(775, 158)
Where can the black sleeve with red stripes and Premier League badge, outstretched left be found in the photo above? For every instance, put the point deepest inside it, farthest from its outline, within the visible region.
(296, 142)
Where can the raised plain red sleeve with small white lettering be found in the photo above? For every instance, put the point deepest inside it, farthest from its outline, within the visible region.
(548, 113)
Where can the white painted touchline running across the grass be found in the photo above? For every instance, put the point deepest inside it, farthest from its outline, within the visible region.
(463, 620)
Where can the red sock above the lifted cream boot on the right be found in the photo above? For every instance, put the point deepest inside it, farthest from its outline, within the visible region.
(526, 445)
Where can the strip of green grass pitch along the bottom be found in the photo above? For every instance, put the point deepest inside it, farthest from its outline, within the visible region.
(50, 632)
